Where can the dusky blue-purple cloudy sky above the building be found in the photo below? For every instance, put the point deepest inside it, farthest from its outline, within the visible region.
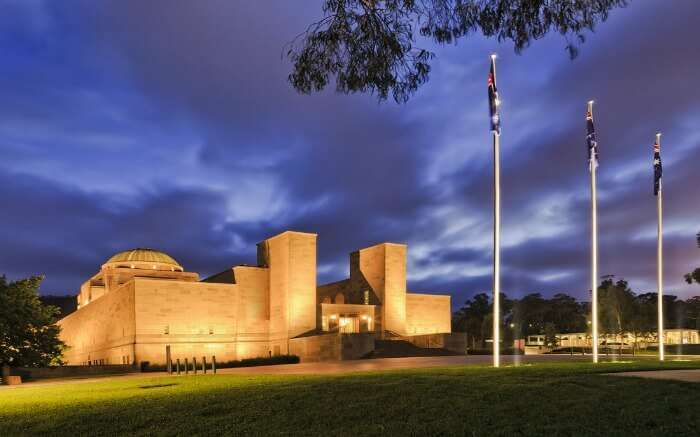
(172, 125)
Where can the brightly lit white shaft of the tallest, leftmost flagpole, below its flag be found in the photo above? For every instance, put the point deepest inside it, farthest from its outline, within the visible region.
(496, 249)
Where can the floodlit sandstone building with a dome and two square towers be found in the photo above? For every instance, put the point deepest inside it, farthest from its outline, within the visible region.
(143, 303)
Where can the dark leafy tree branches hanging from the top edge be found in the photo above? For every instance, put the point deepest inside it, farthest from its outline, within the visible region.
(370, 45)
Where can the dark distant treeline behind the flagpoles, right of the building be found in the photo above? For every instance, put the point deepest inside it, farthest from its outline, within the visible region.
(620, 310)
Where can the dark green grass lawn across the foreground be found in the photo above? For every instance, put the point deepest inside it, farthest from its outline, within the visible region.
(566, 398)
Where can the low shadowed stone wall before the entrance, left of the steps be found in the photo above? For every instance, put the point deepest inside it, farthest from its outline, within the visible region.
(331, 347)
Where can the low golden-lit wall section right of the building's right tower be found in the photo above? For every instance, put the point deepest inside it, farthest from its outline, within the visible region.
(427, 314)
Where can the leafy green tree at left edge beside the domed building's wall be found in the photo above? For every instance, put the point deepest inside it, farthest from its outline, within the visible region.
(28, 330)
